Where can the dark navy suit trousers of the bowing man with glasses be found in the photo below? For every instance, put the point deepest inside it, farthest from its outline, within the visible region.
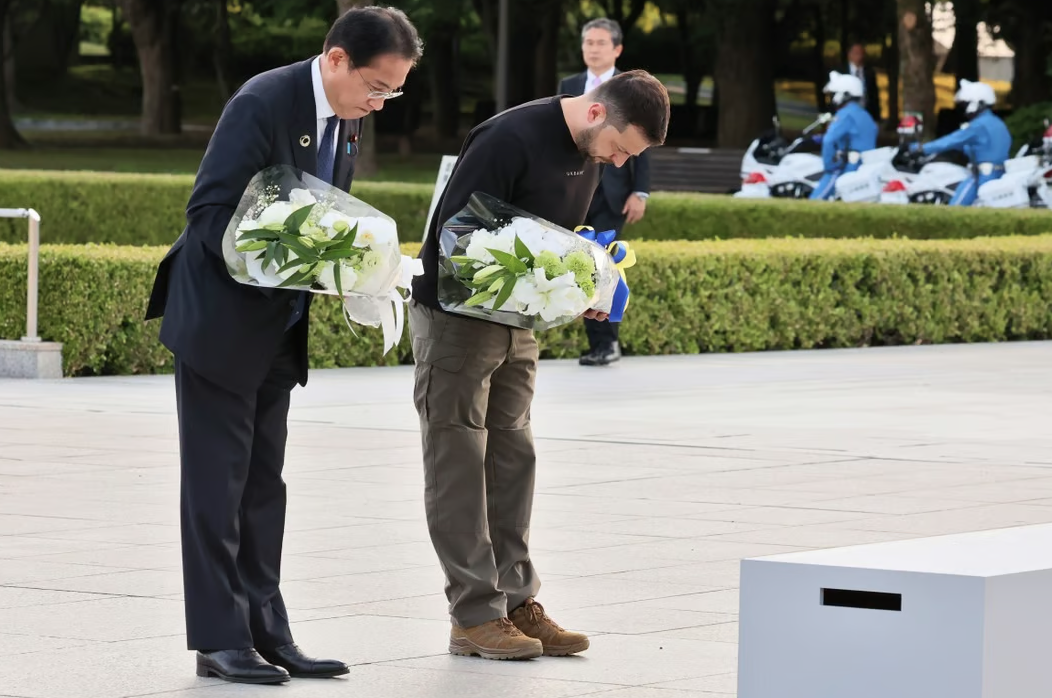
(233, 507)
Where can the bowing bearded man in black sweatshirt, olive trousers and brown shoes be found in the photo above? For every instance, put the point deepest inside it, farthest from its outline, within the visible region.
(475, 380)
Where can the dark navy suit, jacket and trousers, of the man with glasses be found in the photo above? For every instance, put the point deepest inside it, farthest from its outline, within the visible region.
(236, 366)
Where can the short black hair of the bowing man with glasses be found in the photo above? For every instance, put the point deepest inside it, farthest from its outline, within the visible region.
(371, 32)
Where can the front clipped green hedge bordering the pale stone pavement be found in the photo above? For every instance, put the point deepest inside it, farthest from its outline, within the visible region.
(689, 297)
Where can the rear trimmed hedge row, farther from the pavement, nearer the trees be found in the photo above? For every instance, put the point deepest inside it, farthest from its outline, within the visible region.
(150, 210)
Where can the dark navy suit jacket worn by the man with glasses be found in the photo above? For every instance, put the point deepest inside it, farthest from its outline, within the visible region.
(228, 332)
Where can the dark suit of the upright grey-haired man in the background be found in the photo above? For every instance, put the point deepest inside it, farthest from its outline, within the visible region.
(605, 214)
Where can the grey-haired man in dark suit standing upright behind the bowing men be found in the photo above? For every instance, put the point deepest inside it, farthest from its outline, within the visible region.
(622, 194)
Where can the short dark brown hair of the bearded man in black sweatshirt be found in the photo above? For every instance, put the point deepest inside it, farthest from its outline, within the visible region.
(639, 99)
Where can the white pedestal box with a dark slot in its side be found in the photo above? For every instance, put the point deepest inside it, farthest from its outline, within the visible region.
(963, 616)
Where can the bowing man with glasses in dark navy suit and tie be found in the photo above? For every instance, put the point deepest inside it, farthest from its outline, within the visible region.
(240, 350)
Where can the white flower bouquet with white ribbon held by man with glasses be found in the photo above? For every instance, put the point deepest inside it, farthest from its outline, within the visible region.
(294, 231)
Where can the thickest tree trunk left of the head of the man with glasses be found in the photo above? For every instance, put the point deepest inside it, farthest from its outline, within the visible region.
(155, 30)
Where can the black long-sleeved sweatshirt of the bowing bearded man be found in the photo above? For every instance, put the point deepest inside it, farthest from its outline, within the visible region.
(525, 157)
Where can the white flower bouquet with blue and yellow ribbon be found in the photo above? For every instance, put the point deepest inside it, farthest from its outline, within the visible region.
(503, 265)
